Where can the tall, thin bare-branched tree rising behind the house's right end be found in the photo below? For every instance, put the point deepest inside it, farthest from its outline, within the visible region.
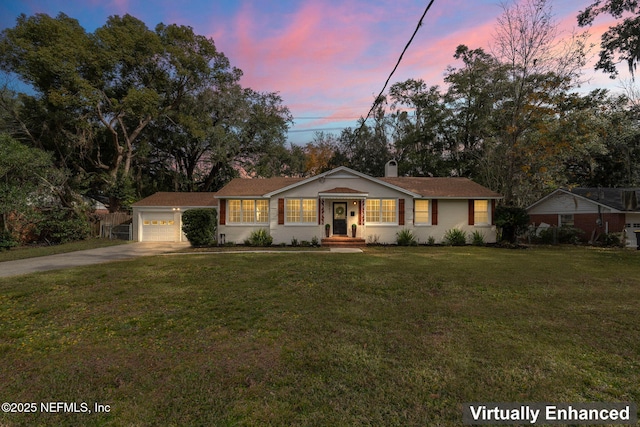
(541, 70)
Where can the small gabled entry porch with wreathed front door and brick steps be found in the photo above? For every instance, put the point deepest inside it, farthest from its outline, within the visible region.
(341, 209)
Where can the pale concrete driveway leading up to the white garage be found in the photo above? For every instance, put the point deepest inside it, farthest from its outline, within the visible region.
(88, 257)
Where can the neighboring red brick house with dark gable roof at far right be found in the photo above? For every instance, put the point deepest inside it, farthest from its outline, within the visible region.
(596, 211)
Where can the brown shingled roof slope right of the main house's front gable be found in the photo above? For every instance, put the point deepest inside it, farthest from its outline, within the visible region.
(442, 187)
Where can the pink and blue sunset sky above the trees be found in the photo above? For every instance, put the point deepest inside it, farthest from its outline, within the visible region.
(328, 59)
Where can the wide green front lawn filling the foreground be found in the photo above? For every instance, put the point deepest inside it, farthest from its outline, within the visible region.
(393, 336)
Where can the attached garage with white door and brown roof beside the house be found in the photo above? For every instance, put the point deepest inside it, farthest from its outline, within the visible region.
(158, 218)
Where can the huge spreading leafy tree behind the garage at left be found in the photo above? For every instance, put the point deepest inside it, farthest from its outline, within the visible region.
(161, 108)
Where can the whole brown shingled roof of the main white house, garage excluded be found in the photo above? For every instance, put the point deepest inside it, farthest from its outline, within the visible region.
(461, 188)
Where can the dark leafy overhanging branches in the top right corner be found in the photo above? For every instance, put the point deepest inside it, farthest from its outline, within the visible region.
(622, 39)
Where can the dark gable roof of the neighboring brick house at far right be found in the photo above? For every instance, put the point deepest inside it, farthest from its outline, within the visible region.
(620, 199)
